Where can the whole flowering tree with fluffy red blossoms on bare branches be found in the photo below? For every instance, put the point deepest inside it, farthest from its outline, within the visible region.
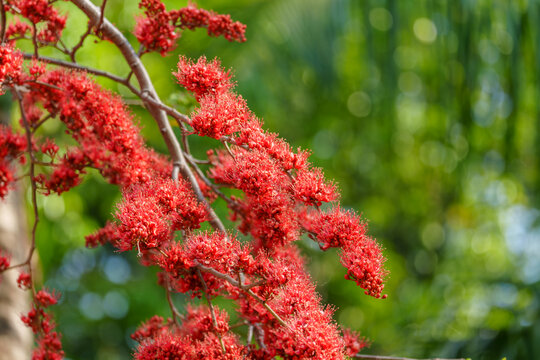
(166, 198)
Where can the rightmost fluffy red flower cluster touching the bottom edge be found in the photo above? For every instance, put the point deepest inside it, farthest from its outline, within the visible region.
(310, 331)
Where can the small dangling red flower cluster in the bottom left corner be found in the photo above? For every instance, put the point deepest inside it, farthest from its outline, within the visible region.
(48, 340)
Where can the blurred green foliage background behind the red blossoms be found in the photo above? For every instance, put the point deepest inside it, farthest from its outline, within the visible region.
(427, 115)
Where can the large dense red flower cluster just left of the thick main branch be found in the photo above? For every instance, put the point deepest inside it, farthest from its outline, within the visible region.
(102, 126)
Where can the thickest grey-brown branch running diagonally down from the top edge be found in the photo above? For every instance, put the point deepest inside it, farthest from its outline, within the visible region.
(148, 92)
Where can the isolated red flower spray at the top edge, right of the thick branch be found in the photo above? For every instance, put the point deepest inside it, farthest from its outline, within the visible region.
(156, 31)
